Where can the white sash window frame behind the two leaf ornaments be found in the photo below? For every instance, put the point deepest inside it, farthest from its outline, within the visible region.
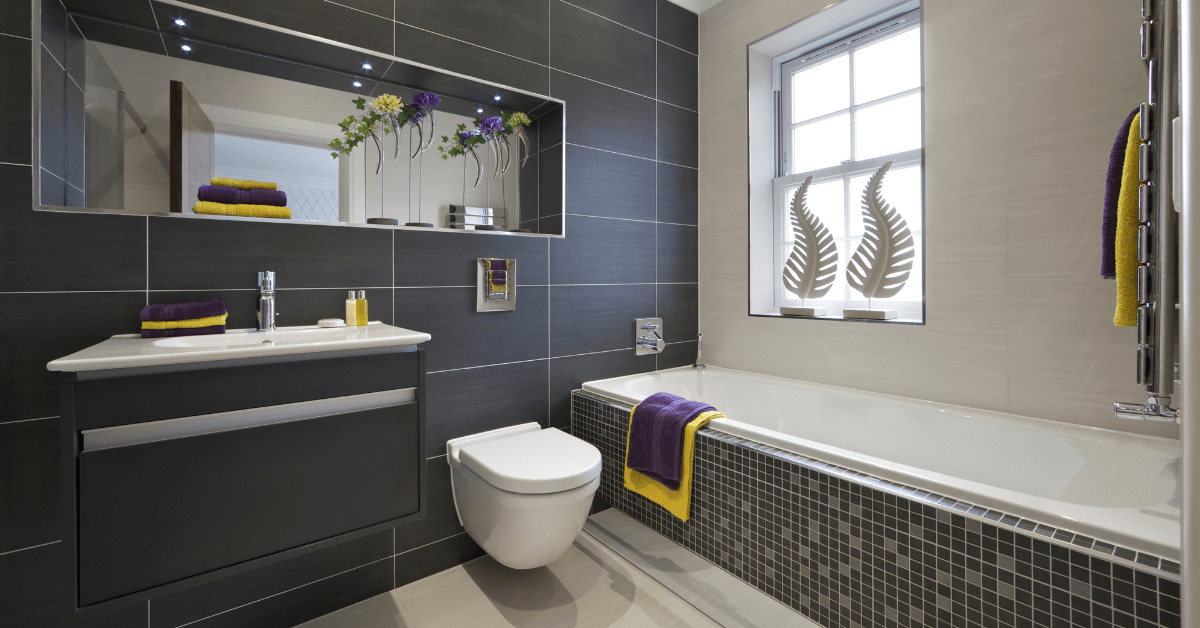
(795, 62)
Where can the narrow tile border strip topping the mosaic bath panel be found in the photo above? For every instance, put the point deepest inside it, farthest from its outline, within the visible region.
(1135, 559)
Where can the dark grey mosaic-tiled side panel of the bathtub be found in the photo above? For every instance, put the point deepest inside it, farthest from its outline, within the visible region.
(853, 552)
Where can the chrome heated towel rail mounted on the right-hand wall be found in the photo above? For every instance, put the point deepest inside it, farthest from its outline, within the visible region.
(1159, 232)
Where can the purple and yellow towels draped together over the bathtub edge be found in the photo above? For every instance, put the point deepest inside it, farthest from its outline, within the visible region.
(659, 452)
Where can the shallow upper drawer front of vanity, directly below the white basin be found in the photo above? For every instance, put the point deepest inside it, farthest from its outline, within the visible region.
(225, 388)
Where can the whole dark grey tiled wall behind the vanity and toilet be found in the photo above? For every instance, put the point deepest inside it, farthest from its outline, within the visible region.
(70, 280)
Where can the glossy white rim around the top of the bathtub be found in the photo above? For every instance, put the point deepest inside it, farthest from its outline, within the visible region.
(907, 481)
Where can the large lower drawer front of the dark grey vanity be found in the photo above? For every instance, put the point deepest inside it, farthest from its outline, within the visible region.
(163, 511)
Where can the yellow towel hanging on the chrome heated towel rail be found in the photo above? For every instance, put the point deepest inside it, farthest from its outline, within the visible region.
(1127, 234)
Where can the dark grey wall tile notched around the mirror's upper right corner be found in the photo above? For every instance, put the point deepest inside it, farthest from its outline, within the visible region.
(605, 118)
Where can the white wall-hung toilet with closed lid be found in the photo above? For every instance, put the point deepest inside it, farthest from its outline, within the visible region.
(524, 493)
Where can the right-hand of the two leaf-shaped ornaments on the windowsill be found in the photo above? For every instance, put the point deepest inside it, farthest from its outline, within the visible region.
(883, 262)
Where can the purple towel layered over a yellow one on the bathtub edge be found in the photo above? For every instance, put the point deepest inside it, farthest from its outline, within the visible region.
(656, 436)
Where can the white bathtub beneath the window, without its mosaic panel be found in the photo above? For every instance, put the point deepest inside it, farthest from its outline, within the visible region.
(1114, 487)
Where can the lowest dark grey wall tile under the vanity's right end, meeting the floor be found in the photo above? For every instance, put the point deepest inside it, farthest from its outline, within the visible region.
(309, 602)
